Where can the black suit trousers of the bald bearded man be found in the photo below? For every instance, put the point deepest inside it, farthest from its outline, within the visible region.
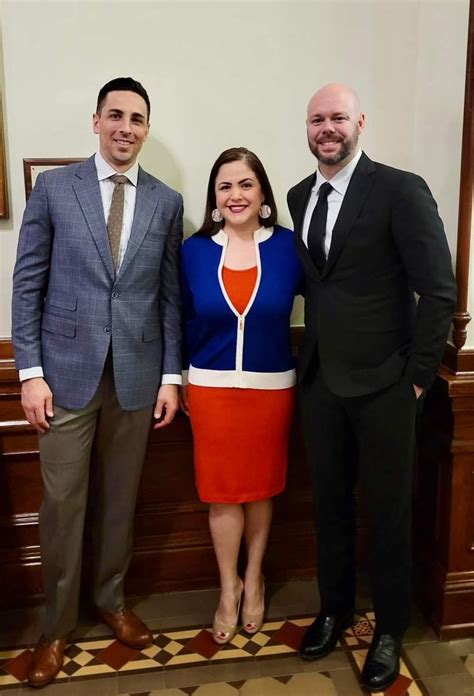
(368, 438)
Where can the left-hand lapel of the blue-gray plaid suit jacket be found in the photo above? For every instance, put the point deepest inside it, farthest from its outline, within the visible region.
(86, 186)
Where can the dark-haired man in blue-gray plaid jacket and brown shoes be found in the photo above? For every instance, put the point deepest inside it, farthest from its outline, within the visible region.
(96, 331)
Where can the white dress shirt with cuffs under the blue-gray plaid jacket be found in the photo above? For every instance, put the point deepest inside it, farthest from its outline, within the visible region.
(104, 172)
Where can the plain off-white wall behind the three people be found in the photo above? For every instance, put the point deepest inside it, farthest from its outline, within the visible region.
(221, 74)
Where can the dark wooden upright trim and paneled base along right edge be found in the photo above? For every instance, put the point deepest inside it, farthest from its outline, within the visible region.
(444, 487)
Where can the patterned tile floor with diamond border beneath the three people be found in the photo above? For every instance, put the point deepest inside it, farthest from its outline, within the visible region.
(185, 661)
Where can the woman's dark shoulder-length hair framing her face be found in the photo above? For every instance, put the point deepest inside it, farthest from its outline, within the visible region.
(236, 154)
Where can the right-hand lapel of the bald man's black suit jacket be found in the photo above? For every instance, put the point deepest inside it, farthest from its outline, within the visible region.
(359, 186)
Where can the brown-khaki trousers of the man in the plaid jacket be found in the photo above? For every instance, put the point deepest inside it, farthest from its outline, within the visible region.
(119, 440)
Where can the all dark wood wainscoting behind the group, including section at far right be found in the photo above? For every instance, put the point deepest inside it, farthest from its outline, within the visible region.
(173, 549)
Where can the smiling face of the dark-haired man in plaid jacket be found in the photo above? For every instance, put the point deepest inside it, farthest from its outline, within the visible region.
(122, 126)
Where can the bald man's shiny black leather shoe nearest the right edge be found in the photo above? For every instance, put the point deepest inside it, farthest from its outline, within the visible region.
(382, 664)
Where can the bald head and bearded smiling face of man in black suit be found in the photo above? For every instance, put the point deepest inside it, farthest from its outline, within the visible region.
(333, 126)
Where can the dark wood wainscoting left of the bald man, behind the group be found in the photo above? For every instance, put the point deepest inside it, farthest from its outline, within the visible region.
(172, 548)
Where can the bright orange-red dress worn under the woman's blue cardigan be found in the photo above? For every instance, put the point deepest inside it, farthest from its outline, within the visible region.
(240, 435)
